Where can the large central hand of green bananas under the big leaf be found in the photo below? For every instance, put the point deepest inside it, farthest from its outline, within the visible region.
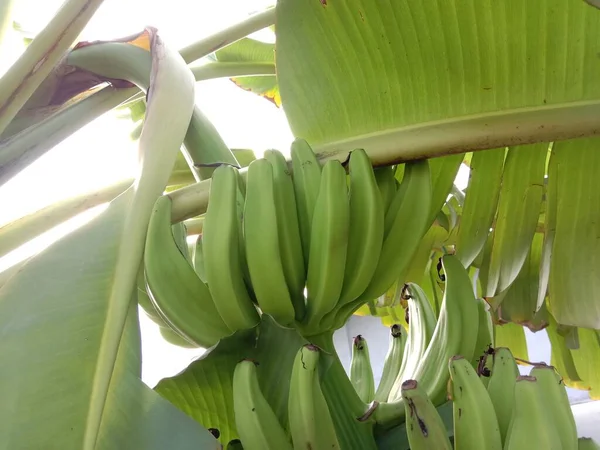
(306, 247)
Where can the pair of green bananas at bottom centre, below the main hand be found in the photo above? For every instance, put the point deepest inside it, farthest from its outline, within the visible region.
(310, 423)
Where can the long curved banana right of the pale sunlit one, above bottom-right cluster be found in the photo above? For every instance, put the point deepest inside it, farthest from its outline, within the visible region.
(455, 334)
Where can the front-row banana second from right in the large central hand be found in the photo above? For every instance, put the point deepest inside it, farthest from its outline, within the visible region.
(366, 227)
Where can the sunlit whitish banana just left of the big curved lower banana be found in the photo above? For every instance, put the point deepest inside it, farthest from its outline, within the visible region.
(421, 325)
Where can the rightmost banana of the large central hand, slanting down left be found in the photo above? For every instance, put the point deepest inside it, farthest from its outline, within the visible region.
(406, 222)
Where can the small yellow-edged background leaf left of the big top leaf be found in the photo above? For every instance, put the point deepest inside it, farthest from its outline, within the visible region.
(251, 50)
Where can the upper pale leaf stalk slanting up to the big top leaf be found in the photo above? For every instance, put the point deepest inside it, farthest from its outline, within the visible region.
(228, 36)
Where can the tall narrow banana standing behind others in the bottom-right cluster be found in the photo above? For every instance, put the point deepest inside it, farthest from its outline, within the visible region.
(501, 387)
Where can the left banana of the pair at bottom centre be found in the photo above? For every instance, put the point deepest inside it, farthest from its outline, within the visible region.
(256, 423)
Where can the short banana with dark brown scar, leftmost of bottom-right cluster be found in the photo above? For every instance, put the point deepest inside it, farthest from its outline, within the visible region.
(424, 426)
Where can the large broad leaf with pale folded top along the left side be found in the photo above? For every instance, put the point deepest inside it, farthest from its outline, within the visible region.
(70, 342)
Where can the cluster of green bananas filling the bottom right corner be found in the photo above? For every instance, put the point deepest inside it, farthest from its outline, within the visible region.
(512, 413)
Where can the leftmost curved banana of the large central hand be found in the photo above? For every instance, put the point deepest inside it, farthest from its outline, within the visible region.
(178, 295)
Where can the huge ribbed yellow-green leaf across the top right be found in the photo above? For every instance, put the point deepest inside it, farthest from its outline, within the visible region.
(478, 73)
